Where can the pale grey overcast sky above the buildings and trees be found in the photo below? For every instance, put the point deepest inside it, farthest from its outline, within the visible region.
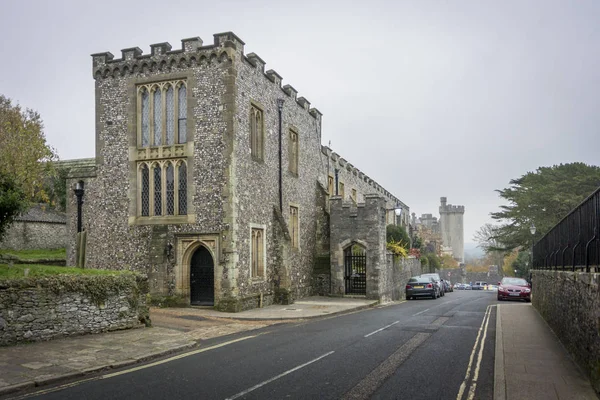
(429, 98)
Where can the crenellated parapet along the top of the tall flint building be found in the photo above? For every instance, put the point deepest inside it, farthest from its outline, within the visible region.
(226, 47)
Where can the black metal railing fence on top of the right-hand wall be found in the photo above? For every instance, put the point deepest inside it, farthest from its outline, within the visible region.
(574, 243)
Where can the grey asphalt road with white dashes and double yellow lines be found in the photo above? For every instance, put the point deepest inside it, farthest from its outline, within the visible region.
(420, 349)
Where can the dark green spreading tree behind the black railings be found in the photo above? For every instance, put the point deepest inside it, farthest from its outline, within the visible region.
(543, 198)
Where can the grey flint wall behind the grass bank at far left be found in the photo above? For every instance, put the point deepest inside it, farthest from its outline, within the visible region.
(26, 235)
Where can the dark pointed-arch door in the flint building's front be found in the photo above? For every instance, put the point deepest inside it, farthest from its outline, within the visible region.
(202, 278)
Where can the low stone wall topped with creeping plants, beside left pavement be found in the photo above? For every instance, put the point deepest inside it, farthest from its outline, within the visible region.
(35, 309)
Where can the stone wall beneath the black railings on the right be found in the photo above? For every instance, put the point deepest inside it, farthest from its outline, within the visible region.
(570, 304)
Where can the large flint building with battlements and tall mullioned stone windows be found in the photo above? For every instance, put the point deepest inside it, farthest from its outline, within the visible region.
(209, 176)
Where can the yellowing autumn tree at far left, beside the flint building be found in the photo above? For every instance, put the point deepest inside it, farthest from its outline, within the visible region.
(24, 154)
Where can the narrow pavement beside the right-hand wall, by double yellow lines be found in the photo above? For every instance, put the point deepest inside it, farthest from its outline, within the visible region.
(531, 363)
